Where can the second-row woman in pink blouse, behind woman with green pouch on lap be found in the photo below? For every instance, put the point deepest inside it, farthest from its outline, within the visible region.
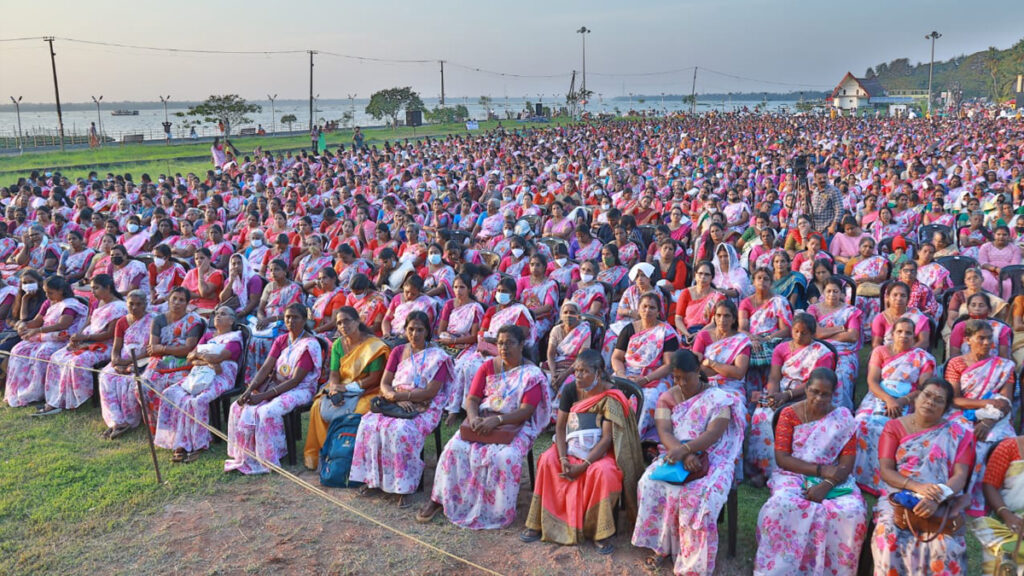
(792, 364)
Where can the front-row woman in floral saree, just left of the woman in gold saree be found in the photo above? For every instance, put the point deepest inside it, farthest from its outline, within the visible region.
(287, 380)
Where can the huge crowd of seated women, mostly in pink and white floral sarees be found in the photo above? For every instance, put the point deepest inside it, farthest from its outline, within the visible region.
(681, 320)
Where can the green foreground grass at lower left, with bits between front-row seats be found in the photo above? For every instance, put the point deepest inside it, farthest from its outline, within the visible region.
(65, 487)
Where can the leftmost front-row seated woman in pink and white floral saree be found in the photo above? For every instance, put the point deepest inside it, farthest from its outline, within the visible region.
(61, 316)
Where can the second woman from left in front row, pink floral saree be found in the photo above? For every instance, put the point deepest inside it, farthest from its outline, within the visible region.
(69, 381)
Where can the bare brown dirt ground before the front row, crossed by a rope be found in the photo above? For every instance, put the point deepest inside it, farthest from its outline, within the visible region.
(274, 526)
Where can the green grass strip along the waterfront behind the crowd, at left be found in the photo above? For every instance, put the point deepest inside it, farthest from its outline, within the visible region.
(154, 158)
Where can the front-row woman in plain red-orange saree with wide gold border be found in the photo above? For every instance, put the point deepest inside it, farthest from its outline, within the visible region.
(594, 459)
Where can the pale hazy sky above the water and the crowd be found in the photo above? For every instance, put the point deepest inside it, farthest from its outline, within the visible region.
(645, 47)
